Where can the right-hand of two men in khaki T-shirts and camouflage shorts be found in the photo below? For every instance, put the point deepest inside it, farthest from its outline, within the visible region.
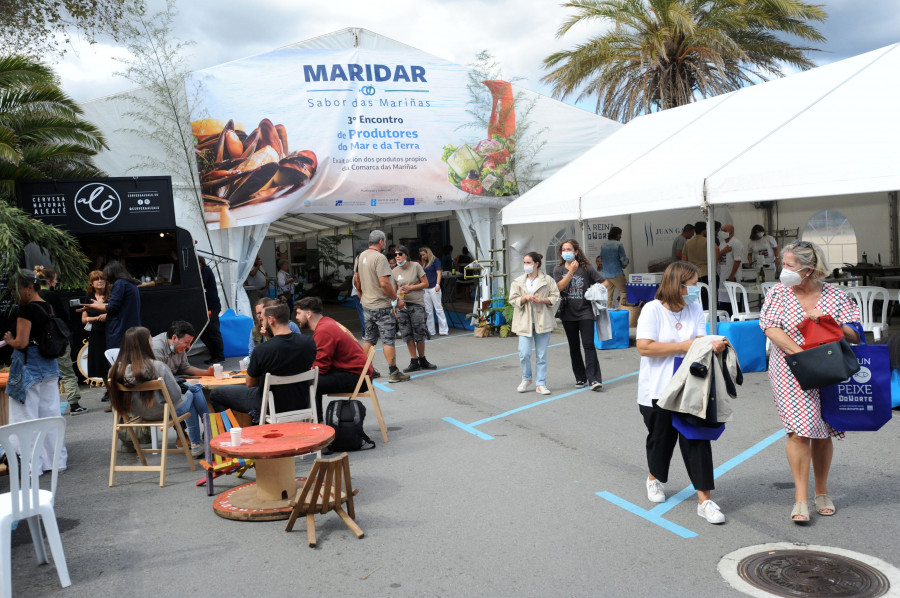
(410, 282)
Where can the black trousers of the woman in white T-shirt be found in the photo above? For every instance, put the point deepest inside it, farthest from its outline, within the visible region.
(661, 439)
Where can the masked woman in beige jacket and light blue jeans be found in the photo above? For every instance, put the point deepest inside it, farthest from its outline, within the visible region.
(533, 295)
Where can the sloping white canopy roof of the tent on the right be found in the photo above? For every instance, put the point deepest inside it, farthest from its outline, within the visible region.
(828, 131)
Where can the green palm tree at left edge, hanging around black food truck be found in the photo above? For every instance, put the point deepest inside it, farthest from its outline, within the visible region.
(42, 135)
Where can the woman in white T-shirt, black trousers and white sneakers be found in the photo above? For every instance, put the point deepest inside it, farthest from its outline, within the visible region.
(666, 328)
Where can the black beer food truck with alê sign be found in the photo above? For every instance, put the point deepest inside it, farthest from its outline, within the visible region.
(131, 220)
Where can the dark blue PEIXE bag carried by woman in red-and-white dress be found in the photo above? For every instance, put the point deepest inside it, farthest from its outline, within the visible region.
(861, 403)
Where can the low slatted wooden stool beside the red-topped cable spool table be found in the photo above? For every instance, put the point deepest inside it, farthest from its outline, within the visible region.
(326, 489)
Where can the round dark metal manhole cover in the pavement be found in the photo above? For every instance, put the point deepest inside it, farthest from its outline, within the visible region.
(809, 573)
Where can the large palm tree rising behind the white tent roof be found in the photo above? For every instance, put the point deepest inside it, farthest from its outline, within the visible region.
(659, 54)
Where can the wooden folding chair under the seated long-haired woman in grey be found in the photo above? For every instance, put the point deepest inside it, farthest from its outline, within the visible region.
(169, 420)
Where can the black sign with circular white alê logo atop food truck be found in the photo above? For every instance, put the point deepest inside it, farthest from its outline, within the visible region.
(100, 206)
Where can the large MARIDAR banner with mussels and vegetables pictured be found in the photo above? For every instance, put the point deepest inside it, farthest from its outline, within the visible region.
(331, 131)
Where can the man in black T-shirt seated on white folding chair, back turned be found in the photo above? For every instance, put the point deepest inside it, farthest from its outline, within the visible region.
(286, 353)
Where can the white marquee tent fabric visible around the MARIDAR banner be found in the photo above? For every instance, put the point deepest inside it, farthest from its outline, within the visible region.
(567, 131)
